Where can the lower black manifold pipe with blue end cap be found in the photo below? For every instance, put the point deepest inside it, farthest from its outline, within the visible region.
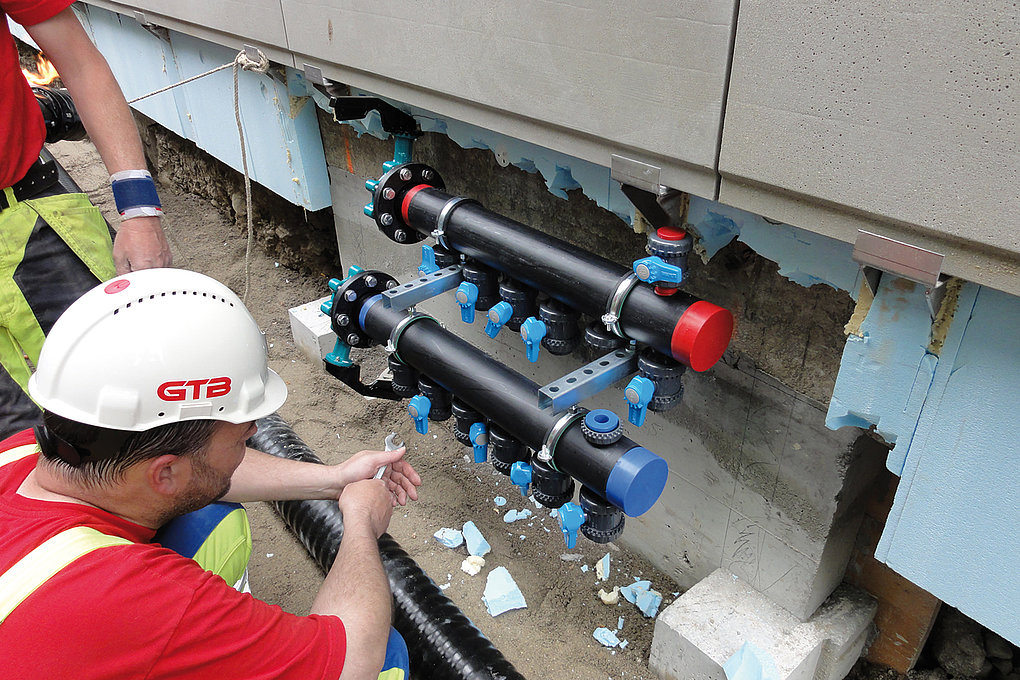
(628, 476)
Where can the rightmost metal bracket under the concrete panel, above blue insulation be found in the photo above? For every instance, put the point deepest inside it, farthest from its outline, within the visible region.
(878, 254)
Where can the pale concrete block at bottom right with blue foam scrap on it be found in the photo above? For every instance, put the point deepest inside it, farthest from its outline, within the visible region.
(698, 634)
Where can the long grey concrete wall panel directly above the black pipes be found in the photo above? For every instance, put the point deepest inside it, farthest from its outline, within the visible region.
(643, 79)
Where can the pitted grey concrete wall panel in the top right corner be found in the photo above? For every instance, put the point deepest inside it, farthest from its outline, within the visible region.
(901, 119)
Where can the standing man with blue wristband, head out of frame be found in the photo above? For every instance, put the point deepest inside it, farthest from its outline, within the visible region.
(56, 245)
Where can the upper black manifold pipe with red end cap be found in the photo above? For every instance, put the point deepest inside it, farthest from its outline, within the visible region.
(694, 332)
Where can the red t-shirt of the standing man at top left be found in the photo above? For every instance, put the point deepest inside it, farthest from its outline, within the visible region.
(22, 127)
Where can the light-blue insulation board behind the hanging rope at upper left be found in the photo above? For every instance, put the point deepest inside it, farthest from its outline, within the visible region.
(283, 142)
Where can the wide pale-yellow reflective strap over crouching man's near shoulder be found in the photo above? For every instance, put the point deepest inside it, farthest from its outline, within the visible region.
(50, 557)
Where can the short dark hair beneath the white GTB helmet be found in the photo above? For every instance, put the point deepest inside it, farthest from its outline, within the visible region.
(106, 466)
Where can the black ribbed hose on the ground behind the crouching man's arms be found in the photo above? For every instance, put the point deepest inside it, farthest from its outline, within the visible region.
(443, 643)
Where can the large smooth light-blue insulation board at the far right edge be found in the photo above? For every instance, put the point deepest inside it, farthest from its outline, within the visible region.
(953, 529)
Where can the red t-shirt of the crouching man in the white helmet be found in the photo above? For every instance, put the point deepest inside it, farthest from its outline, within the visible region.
(142, 611)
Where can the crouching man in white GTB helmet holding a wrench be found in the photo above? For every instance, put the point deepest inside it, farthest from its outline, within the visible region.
(150, 385)
